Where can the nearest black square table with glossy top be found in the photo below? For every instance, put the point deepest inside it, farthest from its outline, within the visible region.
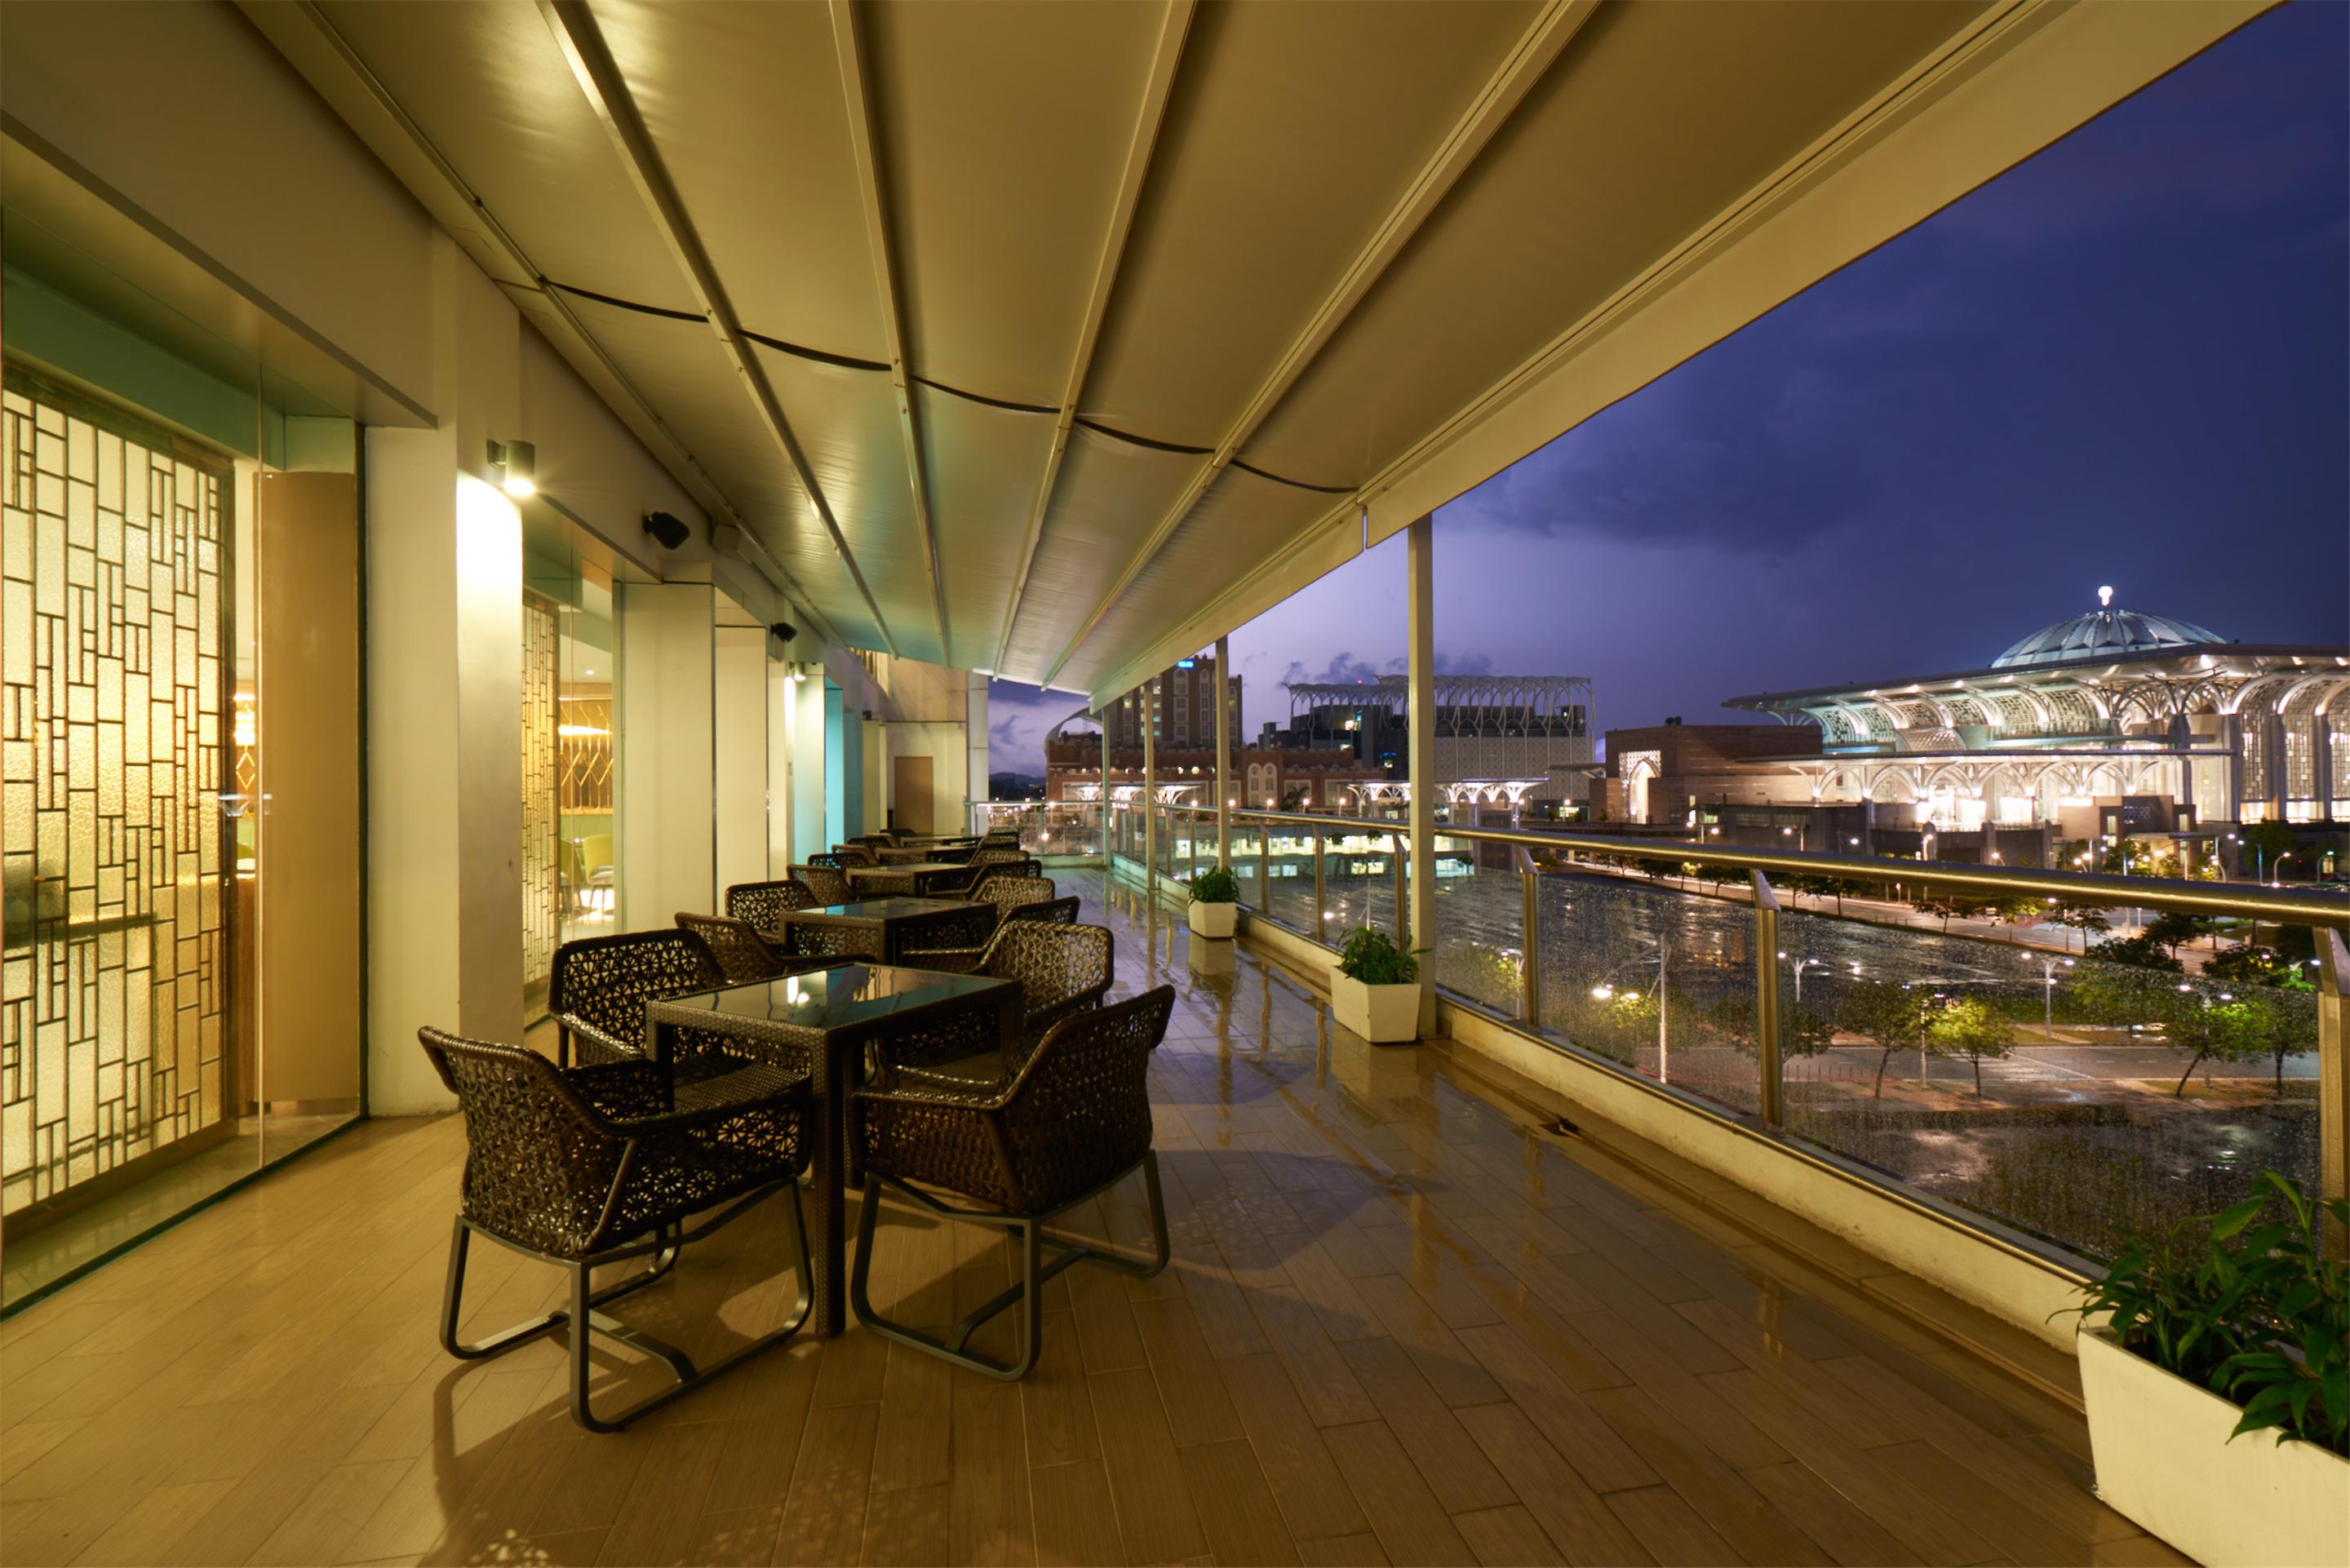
(831, 1019)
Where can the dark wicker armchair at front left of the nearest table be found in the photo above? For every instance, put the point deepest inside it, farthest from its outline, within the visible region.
(589, 1167)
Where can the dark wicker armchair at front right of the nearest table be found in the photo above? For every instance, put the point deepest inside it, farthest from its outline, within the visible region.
(1073, 1123)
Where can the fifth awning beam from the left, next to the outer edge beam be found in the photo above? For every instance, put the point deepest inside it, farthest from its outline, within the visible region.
(1486, 114)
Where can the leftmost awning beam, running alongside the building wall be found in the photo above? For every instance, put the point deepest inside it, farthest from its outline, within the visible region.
(636, 410)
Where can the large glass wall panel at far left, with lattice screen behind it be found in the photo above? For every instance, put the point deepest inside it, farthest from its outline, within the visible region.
(161, 1038)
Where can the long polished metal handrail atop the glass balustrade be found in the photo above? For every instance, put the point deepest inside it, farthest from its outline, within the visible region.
(2079, 887)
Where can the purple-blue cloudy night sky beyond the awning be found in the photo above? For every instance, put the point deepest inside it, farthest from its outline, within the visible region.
(2126, 361)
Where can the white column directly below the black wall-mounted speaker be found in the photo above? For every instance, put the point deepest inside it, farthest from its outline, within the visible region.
(666, 768)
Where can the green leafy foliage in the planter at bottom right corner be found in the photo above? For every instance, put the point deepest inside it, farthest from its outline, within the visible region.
(2250, 1311)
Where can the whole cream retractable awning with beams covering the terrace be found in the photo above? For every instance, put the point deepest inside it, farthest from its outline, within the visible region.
(1056, 340)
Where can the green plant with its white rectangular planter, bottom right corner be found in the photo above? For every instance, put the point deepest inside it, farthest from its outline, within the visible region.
(2217, 1374)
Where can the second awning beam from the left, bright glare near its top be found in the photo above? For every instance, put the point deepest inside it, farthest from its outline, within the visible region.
(607, 93)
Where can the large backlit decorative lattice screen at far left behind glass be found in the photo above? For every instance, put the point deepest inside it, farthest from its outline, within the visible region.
(114, 744)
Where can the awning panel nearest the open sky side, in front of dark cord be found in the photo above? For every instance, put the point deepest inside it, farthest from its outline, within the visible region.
(1714, 98)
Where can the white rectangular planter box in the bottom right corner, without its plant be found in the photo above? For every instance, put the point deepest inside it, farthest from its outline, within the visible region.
(2166, 1461)
